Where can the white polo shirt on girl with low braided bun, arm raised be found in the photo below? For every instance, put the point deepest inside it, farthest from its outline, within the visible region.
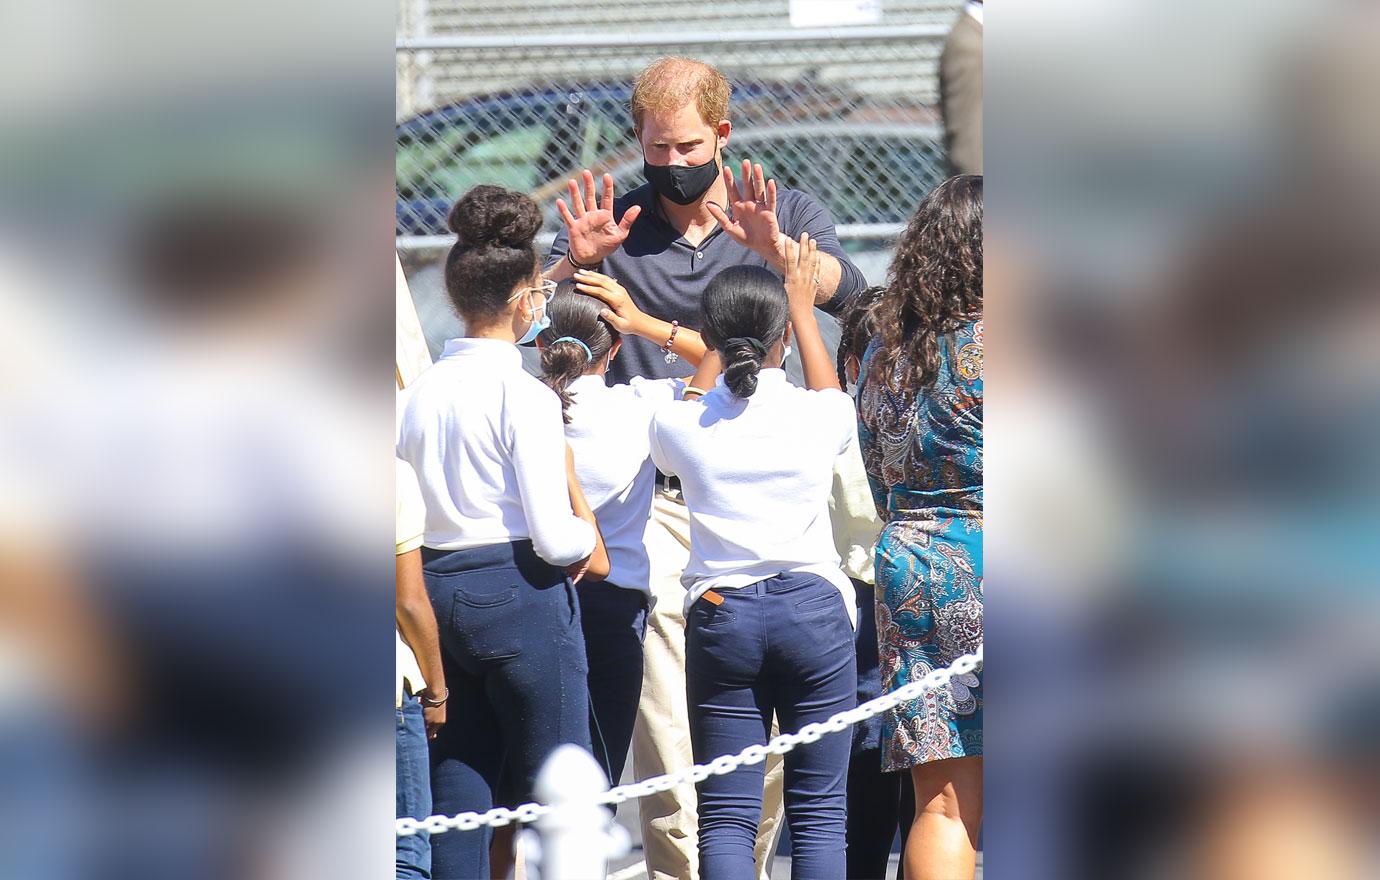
(757, 477)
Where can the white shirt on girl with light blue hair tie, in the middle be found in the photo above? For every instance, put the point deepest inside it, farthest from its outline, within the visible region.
(608, 432)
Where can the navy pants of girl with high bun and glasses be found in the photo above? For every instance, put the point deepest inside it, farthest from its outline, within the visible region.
(515, 666)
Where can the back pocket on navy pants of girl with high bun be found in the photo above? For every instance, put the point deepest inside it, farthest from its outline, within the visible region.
(488, 613)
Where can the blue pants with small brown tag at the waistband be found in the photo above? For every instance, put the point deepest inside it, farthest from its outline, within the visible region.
(785, 646)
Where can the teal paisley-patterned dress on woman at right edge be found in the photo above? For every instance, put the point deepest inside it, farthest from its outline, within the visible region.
(924, 456)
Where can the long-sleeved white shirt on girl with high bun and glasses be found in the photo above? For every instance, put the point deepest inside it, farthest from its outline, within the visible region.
(489, 449)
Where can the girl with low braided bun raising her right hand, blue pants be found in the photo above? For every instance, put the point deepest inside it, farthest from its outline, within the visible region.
(767, 626)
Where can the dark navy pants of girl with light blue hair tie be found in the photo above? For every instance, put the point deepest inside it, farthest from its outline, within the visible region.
(615, 624)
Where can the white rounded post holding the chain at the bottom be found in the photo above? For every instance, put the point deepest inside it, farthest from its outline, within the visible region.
(578, 838)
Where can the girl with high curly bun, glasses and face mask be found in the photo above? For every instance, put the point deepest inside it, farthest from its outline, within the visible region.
(503, 537)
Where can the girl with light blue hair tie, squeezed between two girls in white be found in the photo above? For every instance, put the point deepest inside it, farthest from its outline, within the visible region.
(607, 428)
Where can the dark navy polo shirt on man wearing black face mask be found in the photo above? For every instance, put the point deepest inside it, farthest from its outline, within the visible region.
(667, 277)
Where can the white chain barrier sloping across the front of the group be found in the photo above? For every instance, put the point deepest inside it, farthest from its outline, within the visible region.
(500, 817)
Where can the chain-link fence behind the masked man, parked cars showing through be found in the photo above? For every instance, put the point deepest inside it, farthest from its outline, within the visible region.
(526, 93)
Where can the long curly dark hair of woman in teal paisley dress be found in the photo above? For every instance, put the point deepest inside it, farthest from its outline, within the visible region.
(935, 285)
